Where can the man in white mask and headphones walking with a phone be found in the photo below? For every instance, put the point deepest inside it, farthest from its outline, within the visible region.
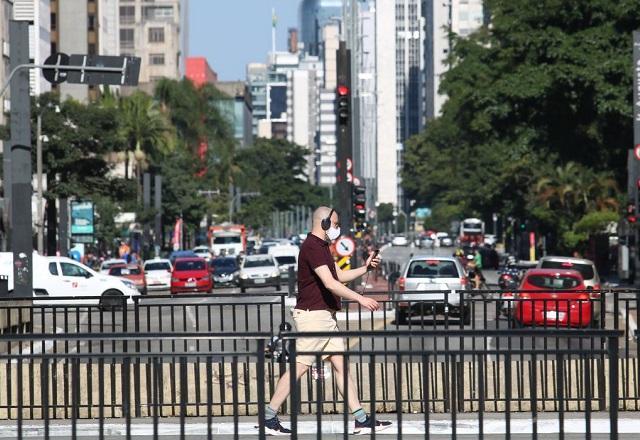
(320, 287)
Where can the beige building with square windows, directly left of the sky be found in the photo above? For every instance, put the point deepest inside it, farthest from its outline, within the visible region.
(157, 32)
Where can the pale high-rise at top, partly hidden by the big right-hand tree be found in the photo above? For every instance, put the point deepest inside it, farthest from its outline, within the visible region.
(461, 17)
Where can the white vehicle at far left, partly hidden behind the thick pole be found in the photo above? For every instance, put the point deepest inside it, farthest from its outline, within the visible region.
(62, 277)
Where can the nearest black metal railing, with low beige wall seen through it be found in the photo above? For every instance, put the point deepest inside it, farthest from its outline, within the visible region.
(77, 388)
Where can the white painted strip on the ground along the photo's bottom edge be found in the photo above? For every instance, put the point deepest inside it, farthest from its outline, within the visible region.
(436, 427)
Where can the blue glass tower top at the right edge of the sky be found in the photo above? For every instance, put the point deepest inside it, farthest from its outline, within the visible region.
(314, 16)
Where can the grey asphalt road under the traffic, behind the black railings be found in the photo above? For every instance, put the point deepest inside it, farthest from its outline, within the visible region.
(260, 310)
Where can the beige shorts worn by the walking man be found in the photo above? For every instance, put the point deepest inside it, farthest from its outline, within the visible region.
(316, 321)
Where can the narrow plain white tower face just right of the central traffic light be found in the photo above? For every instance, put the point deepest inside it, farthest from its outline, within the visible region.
(386, 98)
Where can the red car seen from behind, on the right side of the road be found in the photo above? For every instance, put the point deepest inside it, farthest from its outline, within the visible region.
(553, 297)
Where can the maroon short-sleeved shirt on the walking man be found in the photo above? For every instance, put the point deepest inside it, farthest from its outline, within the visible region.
(312, 294)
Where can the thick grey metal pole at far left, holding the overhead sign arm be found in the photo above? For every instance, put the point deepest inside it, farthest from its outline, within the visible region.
(21, 173)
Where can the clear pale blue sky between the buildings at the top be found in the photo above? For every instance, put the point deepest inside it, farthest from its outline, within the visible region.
(232, 33)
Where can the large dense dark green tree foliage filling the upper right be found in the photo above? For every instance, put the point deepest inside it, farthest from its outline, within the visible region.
(539, 114)
